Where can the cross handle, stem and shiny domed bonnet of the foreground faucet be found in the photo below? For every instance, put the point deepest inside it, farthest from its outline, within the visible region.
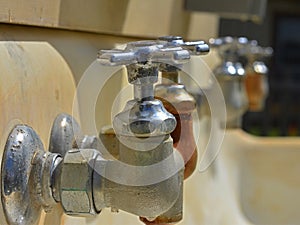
(145, 116)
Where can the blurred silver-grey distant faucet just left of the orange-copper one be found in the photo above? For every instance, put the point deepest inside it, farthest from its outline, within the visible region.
(231, 75)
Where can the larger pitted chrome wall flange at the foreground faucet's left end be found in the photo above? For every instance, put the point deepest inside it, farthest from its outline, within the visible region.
(20, 202)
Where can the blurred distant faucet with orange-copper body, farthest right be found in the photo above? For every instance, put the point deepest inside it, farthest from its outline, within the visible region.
(256, 80)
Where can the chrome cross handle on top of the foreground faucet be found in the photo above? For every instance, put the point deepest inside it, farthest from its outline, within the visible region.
(143, 52)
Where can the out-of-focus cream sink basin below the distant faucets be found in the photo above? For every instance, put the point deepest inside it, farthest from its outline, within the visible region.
(255, 180)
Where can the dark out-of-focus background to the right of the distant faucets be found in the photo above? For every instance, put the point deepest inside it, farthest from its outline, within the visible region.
(276, 25)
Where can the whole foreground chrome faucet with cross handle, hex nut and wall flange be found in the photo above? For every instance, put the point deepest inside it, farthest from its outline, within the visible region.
(147, 178)
